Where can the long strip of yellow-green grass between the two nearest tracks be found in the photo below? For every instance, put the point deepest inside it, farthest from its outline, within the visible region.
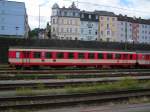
(124, 84)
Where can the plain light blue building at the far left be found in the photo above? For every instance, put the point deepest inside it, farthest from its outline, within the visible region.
(13, 19)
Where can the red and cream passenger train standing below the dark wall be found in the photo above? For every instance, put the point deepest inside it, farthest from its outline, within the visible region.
(36, 57)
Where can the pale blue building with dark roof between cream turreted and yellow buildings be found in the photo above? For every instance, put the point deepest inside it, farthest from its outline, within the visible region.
(89, 26)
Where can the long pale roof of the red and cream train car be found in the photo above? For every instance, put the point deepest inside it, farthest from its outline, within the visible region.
(68, 49)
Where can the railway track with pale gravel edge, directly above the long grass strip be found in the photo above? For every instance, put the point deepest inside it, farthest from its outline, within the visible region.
(59, 83)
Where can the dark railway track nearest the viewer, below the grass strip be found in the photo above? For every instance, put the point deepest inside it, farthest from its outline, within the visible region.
(53, 101)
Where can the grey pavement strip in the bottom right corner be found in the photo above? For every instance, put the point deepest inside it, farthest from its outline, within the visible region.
(105, 108)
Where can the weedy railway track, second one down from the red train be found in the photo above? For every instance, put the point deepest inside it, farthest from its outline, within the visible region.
(72, 75)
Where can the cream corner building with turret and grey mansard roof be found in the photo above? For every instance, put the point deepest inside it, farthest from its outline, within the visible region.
(65, 22)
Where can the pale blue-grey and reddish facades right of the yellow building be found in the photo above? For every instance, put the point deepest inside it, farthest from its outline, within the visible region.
(134, 30)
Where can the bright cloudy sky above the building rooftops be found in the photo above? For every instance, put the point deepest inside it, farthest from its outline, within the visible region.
(138, 8)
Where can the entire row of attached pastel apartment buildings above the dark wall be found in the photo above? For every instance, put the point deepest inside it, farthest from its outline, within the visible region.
(72, 24)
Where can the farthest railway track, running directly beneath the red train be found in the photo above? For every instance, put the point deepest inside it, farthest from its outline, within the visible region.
(70, 71)
